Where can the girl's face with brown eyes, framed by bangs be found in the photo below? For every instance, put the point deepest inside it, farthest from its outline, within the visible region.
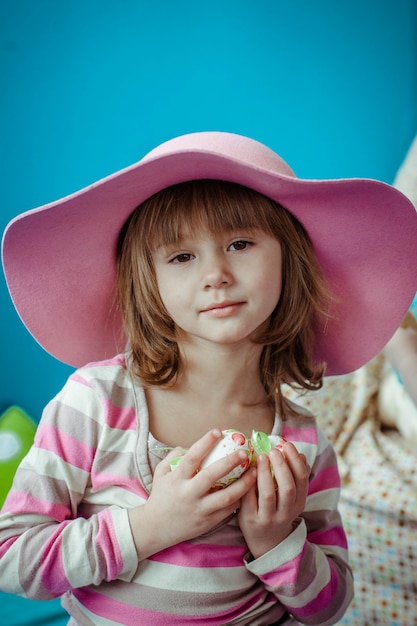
(220, 288)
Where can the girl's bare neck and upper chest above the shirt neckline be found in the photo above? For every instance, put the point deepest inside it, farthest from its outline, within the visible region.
(215, 388)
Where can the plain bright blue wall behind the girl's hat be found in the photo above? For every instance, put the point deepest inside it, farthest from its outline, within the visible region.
(89, 86)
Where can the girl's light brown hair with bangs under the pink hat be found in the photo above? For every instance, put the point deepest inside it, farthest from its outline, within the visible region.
(218, 206)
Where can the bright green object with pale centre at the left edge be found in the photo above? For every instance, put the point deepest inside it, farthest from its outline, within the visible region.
(17, 431)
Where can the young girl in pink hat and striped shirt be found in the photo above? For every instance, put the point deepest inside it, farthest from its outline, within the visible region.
(211, 295)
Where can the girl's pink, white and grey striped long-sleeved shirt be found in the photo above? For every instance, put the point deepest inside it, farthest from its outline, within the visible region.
(64, 528)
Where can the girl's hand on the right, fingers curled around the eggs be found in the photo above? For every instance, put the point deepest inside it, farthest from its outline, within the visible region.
(267, 512)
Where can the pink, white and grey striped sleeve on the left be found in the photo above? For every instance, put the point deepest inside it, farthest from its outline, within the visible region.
(55, 534)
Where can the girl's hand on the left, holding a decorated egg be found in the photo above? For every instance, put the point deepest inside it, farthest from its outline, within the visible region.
(181, 506)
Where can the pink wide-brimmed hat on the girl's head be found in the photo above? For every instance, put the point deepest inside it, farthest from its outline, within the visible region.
(59, 259)
